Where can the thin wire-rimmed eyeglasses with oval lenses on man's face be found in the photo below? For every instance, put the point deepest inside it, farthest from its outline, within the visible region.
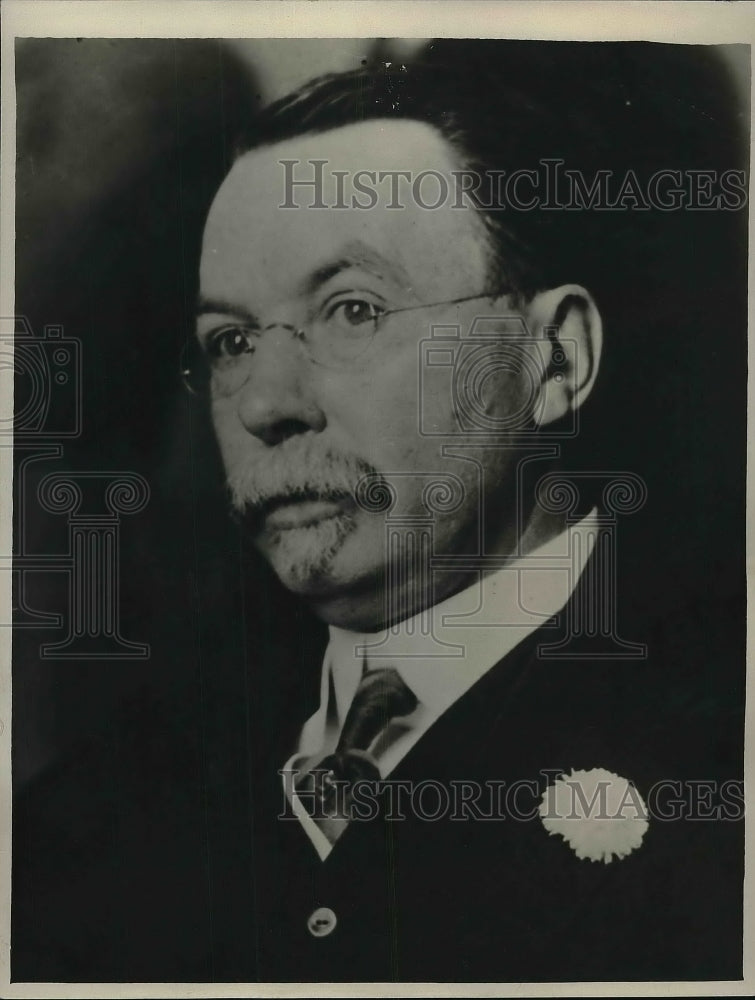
(337, 336)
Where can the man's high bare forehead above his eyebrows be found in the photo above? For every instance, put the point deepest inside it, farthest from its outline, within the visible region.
(254, 245)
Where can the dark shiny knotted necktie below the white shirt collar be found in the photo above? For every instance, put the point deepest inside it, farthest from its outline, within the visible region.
(381, 697)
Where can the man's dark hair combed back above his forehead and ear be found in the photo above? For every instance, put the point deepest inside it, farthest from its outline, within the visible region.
(491, 125)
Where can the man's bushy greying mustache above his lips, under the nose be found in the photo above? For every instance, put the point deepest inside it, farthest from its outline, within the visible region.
(296, 469)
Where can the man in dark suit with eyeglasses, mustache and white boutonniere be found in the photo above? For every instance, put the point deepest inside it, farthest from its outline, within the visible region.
(393, 372)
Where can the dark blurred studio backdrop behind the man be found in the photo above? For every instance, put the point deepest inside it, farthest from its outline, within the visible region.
(121, 145)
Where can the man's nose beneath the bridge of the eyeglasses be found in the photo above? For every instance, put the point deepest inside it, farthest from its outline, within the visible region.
(278, 400)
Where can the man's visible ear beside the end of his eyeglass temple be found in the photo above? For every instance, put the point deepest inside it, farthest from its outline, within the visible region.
(569, 331)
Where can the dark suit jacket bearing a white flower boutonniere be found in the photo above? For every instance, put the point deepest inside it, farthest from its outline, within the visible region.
(150, 857)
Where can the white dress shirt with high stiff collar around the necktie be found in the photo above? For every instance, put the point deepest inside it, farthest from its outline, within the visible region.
(439, 653)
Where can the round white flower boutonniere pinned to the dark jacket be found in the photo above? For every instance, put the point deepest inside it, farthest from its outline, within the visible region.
(599, 814)
